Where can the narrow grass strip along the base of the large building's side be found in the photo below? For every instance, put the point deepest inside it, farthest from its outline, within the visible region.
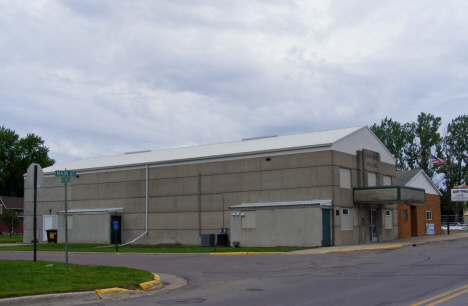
(60, 247)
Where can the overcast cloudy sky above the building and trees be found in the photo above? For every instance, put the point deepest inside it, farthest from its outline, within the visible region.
(96, 78)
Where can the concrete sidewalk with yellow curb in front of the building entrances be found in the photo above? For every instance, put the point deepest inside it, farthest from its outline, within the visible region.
(386, 245)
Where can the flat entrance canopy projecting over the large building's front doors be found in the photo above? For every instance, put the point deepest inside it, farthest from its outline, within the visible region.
(389, 194)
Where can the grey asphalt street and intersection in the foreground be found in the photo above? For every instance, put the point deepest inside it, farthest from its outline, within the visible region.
(402, 276)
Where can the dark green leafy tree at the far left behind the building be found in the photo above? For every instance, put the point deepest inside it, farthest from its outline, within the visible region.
(16, 154)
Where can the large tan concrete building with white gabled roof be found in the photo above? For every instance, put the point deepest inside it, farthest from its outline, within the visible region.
(176, 195)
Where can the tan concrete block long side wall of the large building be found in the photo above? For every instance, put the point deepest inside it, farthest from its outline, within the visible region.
(174, 193)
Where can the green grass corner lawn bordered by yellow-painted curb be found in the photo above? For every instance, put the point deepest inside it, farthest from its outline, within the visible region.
(19, 278)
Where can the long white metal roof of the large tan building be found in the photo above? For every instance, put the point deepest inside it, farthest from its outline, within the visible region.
(319, 140)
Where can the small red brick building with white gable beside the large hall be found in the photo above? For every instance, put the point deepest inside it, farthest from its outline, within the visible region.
(419, 219)
